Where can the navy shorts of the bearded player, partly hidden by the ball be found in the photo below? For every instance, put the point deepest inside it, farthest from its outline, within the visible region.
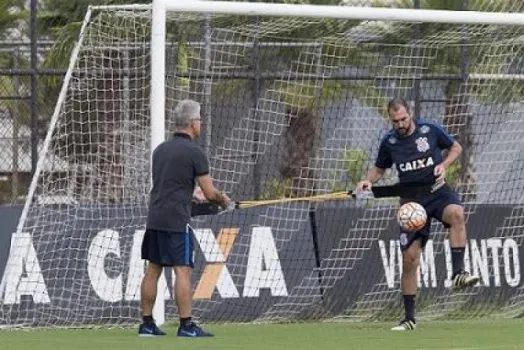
(434, 203)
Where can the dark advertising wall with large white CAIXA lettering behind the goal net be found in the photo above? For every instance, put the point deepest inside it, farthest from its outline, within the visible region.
(269, 278)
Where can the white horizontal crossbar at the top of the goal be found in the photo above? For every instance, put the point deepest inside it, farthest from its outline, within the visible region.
(342, 12)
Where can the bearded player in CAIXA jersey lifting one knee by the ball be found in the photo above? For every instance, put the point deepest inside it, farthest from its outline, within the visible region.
(415, 147)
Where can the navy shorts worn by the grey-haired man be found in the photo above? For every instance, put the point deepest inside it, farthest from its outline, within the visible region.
(168, 248)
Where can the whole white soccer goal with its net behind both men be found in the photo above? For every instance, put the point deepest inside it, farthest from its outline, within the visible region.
(294, 97)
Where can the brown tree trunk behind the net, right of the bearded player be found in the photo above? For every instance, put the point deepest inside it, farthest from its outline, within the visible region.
(457, 120)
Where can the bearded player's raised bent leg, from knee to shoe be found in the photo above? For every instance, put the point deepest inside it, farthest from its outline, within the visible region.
(453, 216)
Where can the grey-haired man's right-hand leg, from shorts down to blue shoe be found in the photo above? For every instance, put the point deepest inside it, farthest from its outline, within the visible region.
(182, 261)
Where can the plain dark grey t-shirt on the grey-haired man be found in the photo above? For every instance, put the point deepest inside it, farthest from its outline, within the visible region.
(176, 164)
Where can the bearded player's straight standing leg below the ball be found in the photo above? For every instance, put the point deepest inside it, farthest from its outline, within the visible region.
(411, 245)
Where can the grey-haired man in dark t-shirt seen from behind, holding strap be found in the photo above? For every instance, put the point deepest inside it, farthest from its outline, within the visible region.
(177, 165)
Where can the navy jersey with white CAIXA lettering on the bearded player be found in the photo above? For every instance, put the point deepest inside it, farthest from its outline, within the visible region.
(415, 156)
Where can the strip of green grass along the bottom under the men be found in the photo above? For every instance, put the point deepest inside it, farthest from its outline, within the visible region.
(454, 335)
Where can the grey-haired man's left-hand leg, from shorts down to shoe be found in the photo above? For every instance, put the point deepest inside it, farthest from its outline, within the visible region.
(148, 288)
